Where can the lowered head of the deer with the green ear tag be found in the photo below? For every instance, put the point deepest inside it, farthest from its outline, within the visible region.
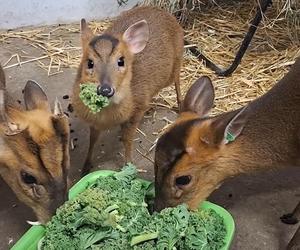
(195, 155)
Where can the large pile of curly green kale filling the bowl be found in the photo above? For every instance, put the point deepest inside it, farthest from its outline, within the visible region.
(112, 214)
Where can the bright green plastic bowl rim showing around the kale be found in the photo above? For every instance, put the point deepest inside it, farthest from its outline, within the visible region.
(29, 241)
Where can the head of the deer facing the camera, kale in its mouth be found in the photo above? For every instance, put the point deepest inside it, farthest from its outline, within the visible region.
(107, 59)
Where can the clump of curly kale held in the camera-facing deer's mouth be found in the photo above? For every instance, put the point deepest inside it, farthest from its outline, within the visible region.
(90, 98)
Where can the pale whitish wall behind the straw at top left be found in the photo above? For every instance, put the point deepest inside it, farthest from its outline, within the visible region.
(19, 13)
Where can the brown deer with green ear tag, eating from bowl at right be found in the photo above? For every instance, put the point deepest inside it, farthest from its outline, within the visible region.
(198, 153)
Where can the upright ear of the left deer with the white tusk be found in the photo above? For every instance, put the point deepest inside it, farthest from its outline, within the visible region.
(35, 97)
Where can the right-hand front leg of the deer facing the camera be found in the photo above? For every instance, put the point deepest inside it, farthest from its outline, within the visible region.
(128, 130)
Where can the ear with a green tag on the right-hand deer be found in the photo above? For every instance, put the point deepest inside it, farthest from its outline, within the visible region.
(226, 128)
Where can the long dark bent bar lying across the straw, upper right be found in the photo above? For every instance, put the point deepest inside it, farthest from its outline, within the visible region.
(261, 9)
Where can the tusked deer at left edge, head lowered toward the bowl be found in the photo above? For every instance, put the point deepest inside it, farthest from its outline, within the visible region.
(34, 149)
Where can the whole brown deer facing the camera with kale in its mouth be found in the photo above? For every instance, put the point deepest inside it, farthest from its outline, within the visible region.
(133, 60)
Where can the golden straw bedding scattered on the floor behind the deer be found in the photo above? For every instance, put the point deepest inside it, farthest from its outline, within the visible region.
(216, 30)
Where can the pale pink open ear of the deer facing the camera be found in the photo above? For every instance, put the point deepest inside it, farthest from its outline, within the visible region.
(137, 36)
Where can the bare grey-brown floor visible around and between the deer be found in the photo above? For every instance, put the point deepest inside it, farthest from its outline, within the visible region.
(255, 201)
